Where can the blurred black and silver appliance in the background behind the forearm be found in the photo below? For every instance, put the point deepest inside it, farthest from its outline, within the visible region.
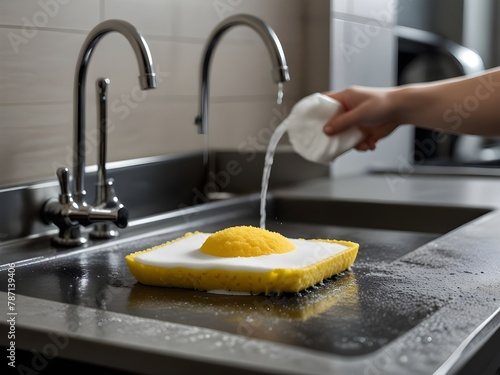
(439, 39)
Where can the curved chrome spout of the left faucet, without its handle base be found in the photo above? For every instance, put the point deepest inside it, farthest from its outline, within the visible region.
(147, 80)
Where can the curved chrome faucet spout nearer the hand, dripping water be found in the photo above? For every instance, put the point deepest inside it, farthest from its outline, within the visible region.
(280, 72)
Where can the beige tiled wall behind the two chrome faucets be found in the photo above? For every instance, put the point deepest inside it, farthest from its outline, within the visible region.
(39, 45)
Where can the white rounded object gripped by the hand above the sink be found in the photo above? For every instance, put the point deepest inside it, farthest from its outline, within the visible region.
(305, 129)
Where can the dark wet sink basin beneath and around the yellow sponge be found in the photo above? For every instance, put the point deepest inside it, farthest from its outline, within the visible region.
(385, 295)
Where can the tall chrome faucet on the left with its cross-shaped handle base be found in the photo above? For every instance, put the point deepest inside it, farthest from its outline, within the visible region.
(71, 211)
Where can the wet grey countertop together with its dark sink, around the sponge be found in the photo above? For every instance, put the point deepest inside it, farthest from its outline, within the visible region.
(415, 301)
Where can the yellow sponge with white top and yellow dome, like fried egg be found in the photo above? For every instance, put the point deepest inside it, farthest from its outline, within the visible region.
(263, 261)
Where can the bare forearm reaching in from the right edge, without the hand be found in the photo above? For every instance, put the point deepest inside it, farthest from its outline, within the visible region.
(465, 105)
